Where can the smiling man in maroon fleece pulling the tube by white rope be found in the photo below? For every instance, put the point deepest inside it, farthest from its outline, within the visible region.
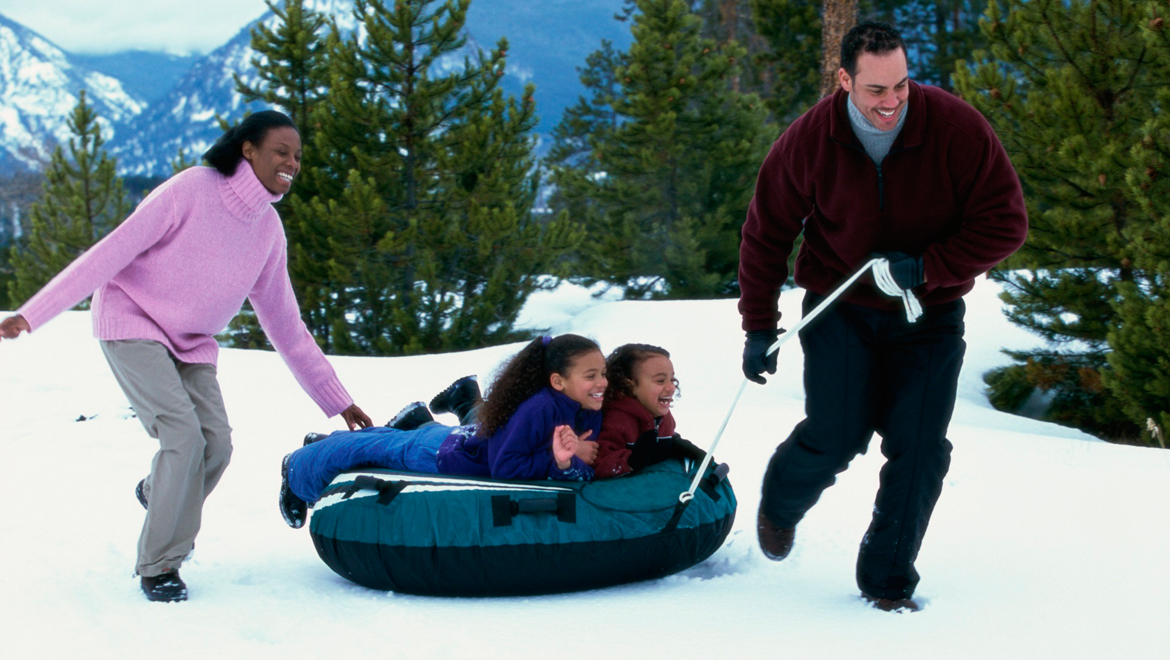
(883, 168)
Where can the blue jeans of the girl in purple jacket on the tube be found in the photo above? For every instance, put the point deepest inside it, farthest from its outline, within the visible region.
(313, 469)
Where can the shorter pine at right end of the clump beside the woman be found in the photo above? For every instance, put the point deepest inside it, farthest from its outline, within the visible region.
(497, 247)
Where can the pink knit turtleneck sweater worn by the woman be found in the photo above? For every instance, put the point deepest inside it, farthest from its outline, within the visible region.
(181, 267)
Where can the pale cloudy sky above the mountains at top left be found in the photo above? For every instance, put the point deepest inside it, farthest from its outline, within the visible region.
(183, 27)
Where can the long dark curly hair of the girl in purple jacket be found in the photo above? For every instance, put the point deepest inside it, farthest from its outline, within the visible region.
(527, 374)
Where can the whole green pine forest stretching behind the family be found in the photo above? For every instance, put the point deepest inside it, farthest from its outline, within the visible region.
(424, 219)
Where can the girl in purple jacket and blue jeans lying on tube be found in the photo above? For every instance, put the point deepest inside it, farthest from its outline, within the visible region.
(535, 424)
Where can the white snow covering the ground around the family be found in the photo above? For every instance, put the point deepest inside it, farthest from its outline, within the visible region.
(1047, 542)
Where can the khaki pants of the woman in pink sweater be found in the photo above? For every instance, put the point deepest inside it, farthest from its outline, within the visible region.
(181, 405)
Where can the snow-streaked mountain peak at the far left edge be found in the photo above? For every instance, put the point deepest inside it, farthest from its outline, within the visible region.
(39, 88)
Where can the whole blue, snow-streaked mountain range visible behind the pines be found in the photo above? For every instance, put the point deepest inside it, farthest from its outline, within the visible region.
(39, 82)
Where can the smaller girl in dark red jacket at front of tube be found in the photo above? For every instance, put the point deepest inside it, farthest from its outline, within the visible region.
(637, 425)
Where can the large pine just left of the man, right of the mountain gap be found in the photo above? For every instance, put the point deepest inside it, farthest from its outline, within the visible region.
(669, 187)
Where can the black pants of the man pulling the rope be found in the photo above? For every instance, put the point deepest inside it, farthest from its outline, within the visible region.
(870, 372)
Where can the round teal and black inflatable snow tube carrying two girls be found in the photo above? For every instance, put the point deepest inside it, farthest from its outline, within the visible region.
(445, 535)
